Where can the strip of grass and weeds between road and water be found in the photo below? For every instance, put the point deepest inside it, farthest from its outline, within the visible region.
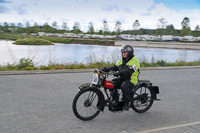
(27, 64)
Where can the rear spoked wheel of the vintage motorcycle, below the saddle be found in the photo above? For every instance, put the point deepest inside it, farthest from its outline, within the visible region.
(143, 102)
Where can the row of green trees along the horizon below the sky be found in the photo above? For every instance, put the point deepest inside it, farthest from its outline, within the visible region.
(162, 28)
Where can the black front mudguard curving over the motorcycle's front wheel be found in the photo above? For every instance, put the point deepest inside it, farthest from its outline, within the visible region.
(87, 87)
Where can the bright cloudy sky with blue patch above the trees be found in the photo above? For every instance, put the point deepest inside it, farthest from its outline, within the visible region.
(147, 12)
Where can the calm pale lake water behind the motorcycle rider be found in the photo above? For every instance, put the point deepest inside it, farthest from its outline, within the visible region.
(77, 53)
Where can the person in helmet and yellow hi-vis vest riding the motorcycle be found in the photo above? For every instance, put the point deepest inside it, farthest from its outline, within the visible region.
(128, 72)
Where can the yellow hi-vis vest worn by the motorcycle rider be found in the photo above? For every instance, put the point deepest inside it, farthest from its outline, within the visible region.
(136, 65)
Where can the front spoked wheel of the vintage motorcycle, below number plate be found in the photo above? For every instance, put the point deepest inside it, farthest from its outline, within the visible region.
(86, 104)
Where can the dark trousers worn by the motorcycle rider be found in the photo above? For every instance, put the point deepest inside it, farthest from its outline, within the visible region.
(126, 87)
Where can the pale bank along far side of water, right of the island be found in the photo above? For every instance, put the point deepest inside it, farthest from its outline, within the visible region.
(161, 45)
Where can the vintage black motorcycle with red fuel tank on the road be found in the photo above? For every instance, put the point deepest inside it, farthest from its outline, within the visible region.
(90, 100)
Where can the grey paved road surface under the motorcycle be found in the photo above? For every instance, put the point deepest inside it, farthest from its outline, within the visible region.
(42, 103)
